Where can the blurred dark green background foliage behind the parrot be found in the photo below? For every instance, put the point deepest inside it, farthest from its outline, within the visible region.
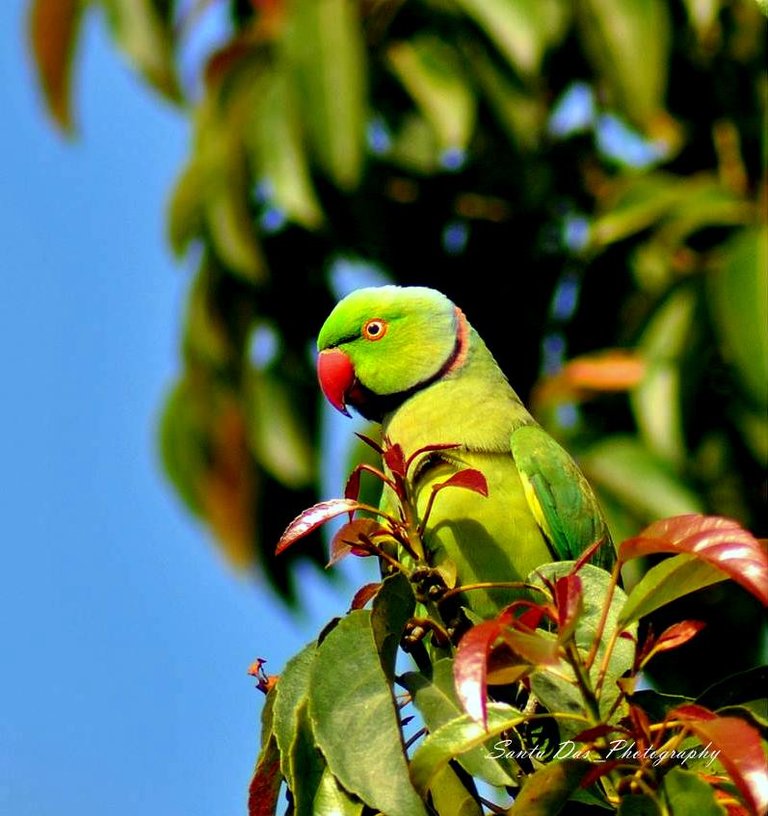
(580, 178)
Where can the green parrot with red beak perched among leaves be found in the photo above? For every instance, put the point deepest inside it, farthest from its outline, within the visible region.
(407, 357)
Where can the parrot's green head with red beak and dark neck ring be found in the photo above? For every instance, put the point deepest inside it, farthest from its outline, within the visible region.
(381, 344)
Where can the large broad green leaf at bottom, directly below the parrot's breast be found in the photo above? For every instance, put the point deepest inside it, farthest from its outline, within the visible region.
(355, 720)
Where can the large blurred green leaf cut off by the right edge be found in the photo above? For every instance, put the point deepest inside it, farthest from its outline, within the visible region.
(740, 307)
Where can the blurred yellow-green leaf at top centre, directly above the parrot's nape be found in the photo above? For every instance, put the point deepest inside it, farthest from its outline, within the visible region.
(432, 73)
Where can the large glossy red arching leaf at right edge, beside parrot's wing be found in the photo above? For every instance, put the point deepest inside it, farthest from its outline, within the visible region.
(719, 541)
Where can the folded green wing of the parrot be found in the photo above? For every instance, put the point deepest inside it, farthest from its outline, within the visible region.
(559, 496)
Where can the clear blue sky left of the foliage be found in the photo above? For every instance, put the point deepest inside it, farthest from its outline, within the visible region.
(125, 637)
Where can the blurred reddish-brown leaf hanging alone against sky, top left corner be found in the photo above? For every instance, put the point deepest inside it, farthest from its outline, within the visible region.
(54, 29)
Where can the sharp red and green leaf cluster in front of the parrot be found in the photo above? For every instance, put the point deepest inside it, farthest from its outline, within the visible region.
(543, 704)
